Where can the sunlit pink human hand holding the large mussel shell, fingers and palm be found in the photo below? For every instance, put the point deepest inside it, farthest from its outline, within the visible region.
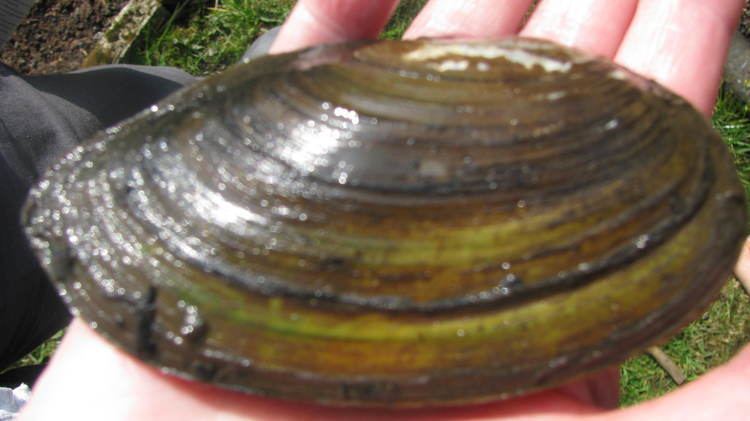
(680, 43)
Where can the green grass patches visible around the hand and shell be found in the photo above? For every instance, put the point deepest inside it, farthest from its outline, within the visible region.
(204, 40)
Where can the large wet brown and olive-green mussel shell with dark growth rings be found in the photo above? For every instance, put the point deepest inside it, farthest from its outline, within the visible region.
(395, 223)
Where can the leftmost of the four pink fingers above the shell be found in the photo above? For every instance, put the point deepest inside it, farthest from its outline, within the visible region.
(313, 22)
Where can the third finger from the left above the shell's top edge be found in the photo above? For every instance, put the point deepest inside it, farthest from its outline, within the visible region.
(597, 26)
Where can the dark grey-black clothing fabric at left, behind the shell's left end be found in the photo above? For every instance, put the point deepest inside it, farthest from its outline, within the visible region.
(40, 118)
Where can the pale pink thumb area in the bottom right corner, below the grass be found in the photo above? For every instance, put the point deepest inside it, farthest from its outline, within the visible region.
(719, 395)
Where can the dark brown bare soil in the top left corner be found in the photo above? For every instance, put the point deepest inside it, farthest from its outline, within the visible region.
(57, 34)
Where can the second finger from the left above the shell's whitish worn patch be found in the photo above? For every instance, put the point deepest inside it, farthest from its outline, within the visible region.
(468, 19)
